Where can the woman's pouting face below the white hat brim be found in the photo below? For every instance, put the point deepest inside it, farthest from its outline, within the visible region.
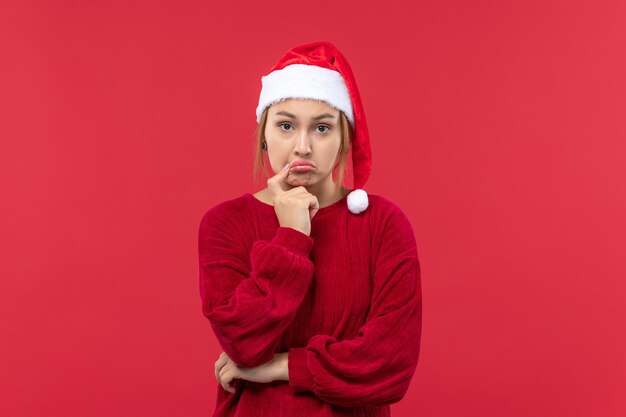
(309, 130)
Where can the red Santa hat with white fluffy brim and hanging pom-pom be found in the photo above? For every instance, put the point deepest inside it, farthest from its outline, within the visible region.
(319, 71)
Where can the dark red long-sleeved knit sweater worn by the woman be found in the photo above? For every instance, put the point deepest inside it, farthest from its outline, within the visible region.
(345, 302)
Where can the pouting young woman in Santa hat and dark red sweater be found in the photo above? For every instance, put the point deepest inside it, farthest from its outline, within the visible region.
(313, 290)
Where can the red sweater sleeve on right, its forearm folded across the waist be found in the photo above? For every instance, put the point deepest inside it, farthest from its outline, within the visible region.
(376, 367)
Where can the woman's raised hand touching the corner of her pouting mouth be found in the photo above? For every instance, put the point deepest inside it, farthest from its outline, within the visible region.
(294, 206)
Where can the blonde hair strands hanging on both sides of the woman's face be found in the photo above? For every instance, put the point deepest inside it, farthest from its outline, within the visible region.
(346, 134)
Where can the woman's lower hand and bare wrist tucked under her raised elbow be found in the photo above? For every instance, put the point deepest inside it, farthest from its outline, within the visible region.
(226, 371)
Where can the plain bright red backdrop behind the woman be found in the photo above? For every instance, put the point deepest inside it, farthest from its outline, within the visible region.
(498, 127)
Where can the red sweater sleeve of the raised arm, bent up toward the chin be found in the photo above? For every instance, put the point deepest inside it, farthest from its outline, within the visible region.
(251, 296)
